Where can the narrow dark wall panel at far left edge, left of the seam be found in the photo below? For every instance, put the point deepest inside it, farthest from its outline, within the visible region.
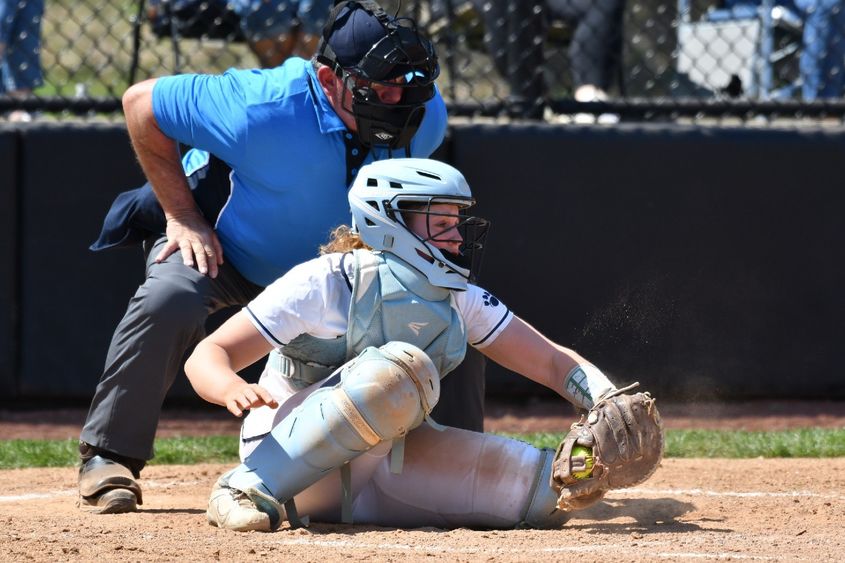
(8, 249)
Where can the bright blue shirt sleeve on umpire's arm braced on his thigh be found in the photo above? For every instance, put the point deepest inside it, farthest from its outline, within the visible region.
(203, 111)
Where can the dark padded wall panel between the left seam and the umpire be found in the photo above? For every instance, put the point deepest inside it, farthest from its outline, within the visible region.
(71, 298)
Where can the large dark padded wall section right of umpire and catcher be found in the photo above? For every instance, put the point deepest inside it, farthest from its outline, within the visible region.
(701, 262)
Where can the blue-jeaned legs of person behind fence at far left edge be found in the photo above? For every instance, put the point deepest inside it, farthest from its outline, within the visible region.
(20, 50)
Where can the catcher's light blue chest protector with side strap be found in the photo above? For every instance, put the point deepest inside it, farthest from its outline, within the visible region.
(391, 301)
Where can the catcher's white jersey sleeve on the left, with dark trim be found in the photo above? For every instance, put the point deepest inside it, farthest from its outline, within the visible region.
(310, 299)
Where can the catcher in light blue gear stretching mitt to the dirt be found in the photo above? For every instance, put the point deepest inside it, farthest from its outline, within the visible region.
(359, 338)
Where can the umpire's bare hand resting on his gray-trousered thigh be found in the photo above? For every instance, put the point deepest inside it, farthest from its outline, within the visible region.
(196, 240)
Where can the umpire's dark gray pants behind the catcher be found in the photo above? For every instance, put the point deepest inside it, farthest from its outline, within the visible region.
(164, 319)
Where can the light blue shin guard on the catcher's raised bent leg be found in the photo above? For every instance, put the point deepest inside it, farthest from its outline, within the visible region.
(383, 394)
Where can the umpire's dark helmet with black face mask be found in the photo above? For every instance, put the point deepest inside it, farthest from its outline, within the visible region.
(363, 45)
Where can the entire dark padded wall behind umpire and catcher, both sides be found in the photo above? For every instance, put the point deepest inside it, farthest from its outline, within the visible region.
(702, 262)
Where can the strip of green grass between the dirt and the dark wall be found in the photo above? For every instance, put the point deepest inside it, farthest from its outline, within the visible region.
(811, 442)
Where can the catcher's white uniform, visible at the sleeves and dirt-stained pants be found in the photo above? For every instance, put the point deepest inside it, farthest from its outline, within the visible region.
(441, 482)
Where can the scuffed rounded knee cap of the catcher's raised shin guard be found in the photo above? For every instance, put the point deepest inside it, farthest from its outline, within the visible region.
(391, 388)
